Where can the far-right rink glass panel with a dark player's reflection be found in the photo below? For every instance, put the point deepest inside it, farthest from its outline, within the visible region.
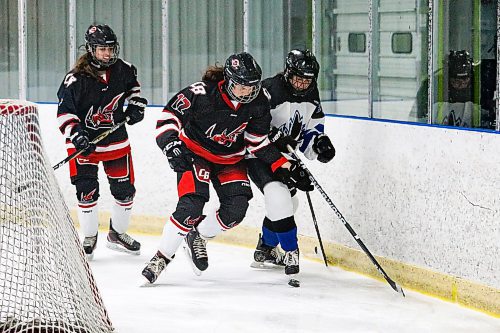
(465, 99)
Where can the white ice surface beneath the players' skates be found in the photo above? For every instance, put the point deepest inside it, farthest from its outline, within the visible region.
(232, 297)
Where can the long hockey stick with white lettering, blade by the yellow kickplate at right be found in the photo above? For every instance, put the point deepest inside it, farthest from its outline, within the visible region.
(325, 196)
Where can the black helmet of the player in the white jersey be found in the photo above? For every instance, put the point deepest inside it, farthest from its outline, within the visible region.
(301, 63)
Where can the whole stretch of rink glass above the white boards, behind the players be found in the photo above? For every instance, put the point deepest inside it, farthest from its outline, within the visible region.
(376, 81)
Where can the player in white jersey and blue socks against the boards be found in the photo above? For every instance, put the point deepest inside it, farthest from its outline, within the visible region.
(298, 121)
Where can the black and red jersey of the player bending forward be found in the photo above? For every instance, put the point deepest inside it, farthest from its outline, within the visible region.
(216, 128)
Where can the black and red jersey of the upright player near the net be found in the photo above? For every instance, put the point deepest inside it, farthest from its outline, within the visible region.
(97, 105)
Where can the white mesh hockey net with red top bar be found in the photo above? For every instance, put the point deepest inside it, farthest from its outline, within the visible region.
(46, 284)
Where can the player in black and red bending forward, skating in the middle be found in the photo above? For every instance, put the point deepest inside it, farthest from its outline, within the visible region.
(205, 131)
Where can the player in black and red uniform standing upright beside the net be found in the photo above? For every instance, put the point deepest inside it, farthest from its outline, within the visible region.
(91, 100)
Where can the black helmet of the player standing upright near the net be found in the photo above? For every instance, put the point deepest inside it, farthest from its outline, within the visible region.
(101, 35)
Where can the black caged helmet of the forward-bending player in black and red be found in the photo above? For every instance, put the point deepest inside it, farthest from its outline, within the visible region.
(242, 69)
